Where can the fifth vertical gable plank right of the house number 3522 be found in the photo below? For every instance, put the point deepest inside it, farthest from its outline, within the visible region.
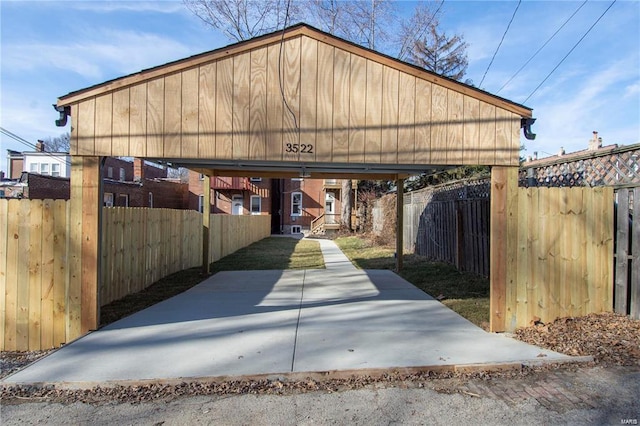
(390, 102)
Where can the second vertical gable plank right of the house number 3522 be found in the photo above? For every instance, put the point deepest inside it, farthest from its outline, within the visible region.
(341, 93)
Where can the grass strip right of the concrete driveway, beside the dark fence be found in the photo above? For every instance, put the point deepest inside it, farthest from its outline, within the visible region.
(465, 293)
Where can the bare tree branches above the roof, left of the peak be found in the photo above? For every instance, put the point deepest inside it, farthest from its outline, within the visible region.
(244, 19)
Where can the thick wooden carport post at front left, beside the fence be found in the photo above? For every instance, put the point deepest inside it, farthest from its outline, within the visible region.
(84, 278)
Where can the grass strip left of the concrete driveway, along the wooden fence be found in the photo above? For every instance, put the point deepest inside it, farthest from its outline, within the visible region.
(269, 253)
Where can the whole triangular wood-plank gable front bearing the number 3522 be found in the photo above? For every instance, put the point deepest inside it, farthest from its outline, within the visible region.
(304, 101)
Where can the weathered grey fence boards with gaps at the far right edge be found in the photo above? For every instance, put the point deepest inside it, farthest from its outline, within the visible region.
(627, 248)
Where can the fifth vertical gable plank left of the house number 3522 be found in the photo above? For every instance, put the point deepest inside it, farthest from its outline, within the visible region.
(207, 112)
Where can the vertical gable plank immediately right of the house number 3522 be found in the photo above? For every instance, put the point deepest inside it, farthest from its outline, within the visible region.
(324, 130)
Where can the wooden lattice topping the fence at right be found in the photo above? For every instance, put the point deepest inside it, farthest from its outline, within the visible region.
(618, 167)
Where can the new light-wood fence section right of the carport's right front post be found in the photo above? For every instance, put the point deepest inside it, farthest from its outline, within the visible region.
(559, 261)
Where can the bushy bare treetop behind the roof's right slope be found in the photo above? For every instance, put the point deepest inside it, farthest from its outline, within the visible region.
(441, 54)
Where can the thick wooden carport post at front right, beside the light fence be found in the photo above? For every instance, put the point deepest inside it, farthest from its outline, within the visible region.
(503, 242)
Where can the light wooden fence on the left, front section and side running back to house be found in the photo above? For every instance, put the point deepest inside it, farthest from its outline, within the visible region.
(139, 246)
